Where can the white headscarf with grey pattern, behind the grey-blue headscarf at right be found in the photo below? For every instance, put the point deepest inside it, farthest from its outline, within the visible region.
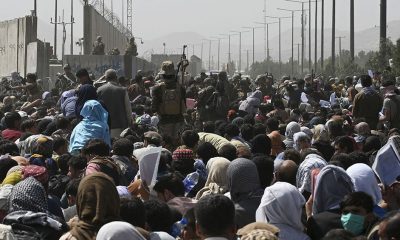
(303, 176)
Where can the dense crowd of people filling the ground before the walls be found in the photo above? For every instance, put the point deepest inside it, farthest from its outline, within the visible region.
(207, 157)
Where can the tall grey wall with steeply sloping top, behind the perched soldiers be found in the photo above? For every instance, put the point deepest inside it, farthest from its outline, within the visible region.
(96, 25)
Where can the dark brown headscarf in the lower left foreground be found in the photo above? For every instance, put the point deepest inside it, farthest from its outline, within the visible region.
(97, 203)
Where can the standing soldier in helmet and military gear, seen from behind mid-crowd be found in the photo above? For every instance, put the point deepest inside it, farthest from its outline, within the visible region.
(169, 102)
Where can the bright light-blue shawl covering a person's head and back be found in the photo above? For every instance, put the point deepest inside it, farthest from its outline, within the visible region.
(93, 126)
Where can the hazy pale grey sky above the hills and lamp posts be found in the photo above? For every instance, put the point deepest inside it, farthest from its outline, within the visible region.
(156, 18)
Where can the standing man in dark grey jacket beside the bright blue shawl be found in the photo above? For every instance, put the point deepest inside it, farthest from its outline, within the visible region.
(117, 103)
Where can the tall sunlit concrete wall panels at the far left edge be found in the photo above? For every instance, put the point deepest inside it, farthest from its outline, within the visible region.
(15, 35)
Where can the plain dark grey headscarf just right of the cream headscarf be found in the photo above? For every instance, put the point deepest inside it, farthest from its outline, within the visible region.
(242, 178)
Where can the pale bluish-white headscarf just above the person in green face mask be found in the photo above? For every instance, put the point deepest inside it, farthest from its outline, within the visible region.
(364, 180)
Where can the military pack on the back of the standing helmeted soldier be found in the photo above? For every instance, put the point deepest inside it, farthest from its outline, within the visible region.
(171, 103)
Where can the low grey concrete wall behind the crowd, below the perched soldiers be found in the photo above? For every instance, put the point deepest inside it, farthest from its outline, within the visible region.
(124, 65)
